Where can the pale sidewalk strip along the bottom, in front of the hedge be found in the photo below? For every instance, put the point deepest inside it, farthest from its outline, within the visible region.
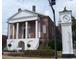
(11, 57)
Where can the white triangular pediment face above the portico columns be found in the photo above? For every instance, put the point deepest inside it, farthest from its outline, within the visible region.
(22, 14)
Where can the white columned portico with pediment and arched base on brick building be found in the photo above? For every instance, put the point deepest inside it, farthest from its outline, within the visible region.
(23, 29)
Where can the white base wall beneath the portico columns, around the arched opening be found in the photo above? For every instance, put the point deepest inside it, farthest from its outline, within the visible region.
(34, 42)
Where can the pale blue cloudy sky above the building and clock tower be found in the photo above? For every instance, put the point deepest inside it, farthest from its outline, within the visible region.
(10, 7)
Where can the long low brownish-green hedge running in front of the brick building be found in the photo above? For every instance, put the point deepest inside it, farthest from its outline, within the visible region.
(34, 53)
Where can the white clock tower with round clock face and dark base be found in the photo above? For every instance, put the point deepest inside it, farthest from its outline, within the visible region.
(66, 28)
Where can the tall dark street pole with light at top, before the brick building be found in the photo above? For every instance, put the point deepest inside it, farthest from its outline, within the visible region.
(52, 2)
